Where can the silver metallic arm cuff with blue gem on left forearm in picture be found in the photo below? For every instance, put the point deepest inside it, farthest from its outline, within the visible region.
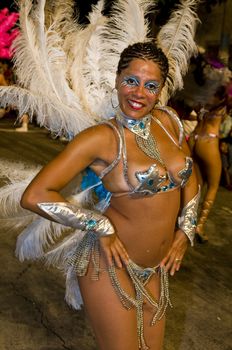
(70, 215)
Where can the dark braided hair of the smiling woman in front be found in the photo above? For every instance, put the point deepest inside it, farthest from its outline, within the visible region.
(145, 51)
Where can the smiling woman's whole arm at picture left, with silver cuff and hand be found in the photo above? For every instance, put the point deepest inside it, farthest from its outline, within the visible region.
(83, 151)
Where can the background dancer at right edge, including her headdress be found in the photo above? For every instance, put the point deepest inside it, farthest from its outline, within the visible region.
(205, 92)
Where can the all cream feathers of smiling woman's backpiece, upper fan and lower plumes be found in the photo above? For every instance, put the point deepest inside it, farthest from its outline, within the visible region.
(65, 76)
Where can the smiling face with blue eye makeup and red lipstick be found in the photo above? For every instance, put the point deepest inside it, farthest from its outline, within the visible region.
(139, 87)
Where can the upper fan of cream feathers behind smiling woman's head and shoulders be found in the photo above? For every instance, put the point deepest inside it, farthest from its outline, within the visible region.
(66, 72)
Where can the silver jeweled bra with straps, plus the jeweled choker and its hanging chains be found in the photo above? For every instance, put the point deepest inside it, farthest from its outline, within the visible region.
(150, 181)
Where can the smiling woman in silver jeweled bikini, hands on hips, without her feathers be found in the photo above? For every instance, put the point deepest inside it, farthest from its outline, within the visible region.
(142, 159)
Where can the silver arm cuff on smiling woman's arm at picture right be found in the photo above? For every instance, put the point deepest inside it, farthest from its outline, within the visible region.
(187, 221)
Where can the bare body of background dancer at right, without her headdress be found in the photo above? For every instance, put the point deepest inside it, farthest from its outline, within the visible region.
(207, 154)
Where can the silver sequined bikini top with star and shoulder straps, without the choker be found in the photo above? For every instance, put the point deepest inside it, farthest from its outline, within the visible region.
(150, 181)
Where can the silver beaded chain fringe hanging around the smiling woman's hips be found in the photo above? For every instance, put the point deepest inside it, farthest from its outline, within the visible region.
(89, 250)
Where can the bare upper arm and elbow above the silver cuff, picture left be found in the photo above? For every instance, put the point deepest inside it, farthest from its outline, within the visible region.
(84, 150)
